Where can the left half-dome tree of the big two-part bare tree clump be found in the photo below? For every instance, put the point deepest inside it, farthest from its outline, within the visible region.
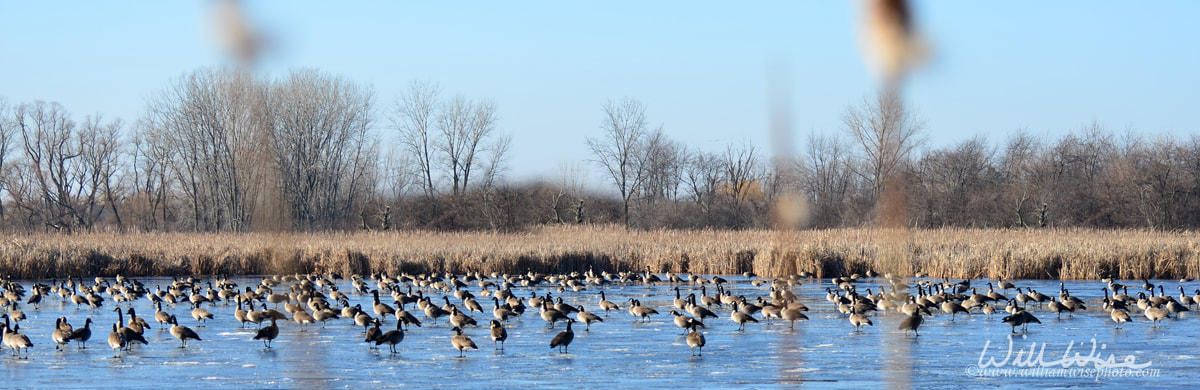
(217, 124)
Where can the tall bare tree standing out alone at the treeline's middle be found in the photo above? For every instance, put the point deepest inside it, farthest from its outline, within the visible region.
(617, 151)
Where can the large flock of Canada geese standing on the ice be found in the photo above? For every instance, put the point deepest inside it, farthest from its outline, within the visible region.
(311, 299)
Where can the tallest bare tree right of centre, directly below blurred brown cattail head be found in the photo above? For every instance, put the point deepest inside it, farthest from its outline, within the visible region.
(886, 133)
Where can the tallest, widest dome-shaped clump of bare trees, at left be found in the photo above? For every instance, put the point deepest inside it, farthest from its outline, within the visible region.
(221, 152)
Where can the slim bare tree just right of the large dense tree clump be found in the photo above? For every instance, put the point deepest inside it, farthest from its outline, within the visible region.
(415, 118)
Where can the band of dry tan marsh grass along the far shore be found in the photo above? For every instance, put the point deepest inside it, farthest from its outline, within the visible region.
(951, 254)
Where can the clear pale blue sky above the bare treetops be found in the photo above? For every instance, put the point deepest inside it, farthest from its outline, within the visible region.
(701, 68)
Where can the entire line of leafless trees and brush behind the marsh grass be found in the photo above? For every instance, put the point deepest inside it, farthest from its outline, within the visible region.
(219, 151)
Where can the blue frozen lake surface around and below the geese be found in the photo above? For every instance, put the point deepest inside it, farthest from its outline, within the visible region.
(621, 352)
